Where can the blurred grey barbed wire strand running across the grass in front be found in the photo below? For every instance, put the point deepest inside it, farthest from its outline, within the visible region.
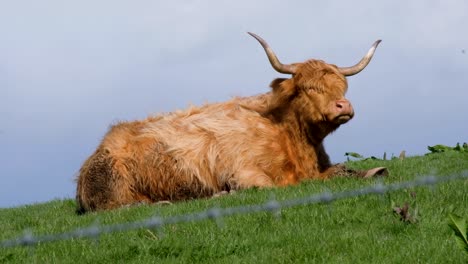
(216, 214)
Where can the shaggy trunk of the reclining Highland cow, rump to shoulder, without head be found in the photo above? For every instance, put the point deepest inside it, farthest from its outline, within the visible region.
(181, 155)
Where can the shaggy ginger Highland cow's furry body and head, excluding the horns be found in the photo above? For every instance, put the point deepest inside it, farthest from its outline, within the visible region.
(273, 139)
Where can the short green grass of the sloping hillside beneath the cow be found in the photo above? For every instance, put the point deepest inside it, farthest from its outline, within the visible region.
(357, 230)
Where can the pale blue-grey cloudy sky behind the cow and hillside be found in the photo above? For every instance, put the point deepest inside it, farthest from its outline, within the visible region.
(69, 70)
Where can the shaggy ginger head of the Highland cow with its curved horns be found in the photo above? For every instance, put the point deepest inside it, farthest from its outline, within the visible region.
(316, 90)
